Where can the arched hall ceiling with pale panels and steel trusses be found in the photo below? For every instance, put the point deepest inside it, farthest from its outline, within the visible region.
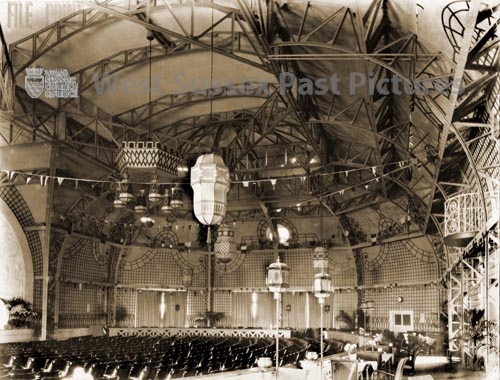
(233, 42)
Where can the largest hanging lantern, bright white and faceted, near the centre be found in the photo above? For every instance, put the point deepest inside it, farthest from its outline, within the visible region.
(210, 183)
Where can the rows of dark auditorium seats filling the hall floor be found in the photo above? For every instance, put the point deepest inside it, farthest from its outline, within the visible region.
(141, 358)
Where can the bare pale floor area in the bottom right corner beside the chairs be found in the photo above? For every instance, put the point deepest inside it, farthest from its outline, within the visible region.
(439, 369)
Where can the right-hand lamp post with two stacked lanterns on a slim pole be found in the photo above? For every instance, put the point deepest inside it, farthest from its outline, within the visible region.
(322, 287)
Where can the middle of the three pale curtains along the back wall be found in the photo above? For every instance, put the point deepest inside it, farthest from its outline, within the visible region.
(247, 313)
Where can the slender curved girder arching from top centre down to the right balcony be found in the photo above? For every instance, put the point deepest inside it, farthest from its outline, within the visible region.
(435, 108)
